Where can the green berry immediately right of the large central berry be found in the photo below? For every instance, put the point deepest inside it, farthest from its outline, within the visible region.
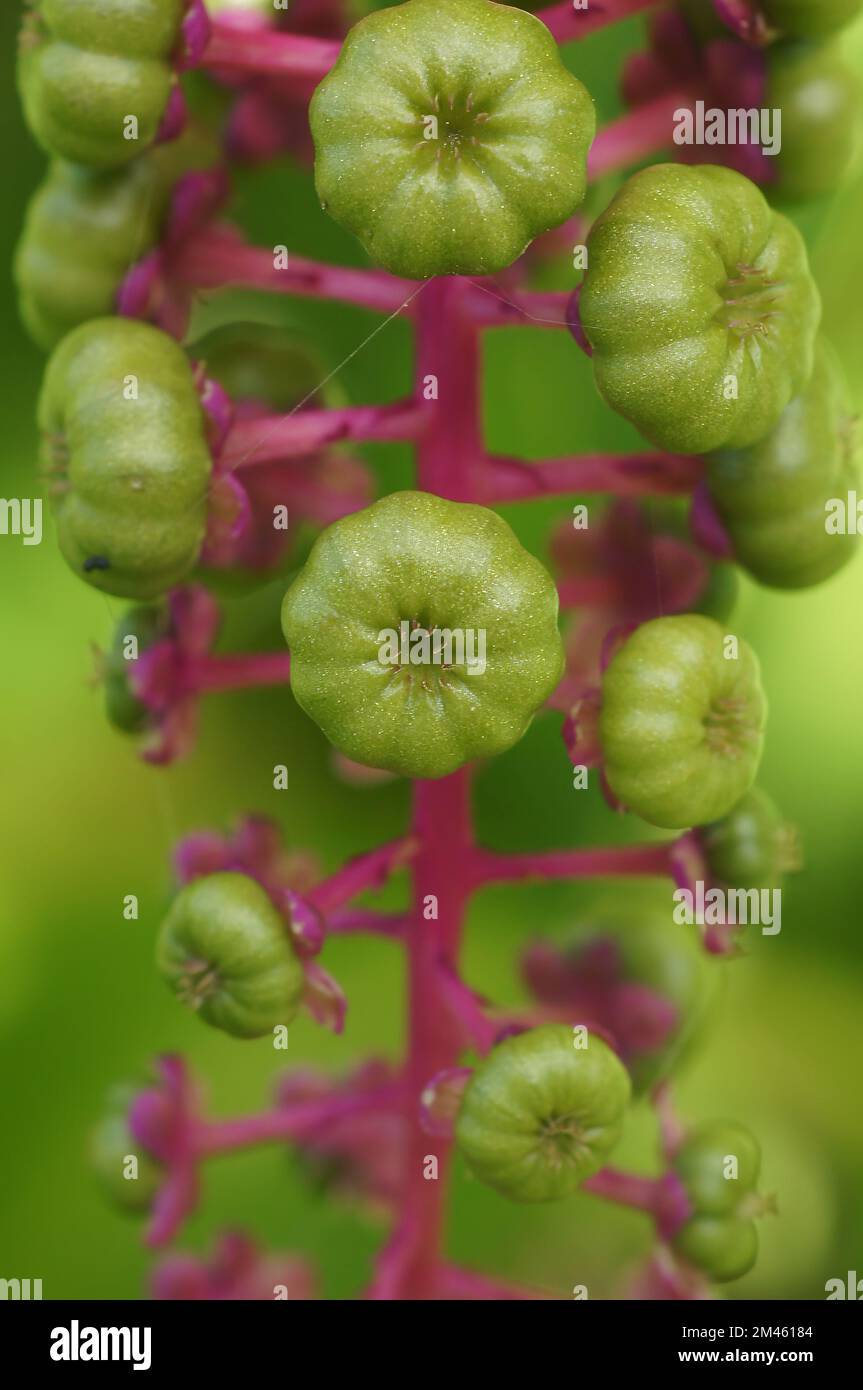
(682, 721)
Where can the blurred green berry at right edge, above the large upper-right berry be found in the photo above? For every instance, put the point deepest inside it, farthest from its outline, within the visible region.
(822, 105)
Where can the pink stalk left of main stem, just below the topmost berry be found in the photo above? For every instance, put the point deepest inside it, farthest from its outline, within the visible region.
(217, 256)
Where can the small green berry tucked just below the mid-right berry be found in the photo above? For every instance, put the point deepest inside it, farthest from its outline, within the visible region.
(753, 847)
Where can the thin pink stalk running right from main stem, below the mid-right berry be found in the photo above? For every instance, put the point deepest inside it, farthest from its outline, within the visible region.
(619, 861)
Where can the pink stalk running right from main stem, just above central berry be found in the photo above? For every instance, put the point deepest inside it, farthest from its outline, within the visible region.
(623, 475)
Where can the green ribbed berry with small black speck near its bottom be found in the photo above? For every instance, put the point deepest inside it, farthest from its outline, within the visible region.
(126, 450)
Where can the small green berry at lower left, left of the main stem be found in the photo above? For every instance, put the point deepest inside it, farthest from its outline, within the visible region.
(226, 953)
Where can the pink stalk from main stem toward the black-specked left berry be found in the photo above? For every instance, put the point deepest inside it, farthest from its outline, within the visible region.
(274, 439)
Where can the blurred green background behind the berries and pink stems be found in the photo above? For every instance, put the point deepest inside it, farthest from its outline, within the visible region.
(85, 824)
